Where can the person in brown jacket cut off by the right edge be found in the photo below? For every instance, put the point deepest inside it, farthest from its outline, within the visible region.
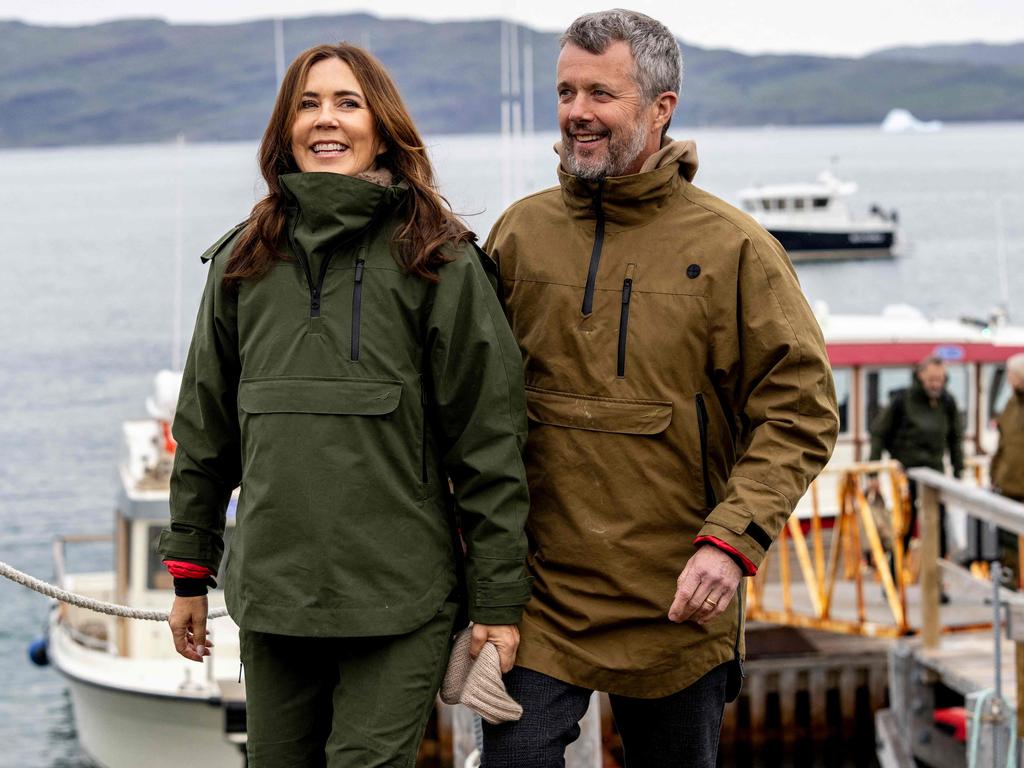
(1007, 471)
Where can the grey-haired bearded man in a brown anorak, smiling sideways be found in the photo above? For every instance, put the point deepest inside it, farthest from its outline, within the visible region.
(680, 403)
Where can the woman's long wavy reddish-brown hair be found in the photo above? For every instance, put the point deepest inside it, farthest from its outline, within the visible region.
(431, 225)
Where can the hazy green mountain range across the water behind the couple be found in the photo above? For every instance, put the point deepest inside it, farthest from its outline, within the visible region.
(147, 80)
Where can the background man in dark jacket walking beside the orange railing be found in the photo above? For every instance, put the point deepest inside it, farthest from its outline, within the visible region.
(917, 429)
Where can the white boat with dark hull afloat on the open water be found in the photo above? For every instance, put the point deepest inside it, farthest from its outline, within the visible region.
(814, 221)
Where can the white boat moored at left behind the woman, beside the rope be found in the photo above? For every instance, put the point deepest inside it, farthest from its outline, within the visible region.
(137, 702)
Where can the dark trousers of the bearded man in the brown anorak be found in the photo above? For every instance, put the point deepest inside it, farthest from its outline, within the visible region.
(678, 731)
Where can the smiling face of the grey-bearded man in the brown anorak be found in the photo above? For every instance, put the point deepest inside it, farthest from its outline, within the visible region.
(607, 129)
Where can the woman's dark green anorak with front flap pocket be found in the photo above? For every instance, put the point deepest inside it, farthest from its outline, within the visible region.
(344, 413)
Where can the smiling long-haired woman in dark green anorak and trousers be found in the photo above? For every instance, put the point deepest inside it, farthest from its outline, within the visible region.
(350, 359)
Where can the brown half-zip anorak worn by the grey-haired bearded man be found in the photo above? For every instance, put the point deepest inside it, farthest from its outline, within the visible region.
(677, 387)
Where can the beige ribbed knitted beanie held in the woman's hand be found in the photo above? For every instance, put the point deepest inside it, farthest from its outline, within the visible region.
(478, 684)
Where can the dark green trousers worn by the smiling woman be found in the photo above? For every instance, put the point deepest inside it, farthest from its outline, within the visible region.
(343, 703)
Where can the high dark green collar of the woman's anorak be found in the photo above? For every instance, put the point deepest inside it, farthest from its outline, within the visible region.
(326, 209)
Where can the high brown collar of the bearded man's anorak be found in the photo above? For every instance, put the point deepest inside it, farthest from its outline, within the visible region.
(630, 201)
